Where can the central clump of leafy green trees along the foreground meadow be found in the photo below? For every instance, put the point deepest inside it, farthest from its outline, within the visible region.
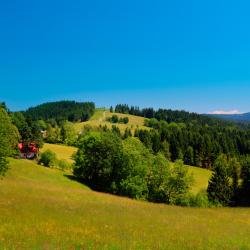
(126, 167)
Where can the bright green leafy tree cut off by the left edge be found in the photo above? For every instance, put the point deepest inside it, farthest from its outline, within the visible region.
(9, 137)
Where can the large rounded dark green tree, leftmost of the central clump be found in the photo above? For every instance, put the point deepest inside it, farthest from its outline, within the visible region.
(98, 160)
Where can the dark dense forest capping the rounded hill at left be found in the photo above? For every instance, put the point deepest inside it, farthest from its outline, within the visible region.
(62, 110)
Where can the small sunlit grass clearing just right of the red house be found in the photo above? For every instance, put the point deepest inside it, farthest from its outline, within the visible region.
(62, 152)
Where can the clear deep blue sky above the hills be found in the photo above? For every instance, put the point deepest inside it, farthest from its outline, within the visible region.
(192, 55)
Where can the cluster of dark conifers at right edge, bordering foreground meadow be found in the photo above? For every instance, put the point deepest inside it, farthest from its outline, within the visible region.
(230, 182)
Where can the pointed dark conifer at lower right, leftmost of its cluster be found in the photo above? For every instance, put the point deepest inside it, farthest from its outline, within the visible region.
(219, 187)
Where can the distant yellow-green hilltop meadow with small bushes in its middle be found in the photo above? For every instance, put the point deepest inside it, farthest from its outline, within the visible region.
(100, 116)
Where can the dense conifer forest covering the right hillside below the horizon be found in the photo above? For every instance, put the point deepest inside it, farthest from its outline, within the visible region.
(194, 138)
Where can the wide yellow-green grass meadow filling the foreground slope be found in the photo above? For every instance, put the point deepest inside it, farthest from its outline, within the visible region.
(40, 208)
